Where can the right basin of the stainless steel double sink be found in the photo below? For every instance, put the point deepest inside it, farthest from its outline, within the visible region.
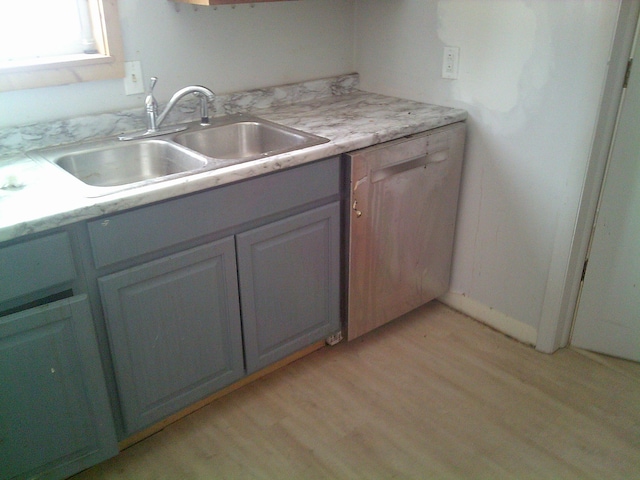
(246, 140)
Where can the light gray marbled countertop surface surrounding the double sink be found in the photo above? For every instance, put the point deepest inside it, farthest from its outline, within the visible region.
(43, 196)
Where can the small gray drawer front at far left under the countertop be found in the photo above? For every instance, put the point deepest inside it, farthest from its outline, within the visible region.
(35, 265)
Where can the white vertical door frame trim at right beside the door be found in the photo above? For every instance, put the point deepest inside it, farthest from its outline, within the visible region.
(565, 275)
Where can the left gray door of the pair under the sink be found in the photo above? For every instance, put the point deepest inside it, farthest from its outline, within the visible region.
(174, 330)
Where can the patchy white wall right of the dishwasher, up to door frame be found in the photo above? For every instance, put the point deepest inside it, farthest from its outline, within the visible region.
(531, 77)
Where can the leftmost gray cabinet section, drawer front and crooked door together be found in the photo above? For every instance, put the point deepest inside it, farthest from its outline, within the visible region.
(55, 417)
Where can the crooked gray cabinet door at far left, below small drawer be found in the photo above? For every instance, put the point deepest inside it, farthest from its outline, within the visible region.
(55, 418)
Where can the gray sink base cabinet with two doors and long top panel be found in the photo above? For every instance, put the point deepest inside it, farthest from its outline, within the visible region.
(167, 279)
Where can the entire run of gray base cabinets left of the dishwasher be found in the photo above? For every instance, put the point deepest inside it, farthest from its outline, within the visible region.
(162, 284)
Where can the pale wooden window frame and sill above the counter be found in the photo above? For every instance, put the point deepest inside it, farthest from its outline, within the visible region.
(68, 69)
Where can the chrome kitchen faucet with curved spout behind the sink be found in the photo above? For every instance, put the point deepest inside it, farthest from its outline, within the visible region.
(154, 120)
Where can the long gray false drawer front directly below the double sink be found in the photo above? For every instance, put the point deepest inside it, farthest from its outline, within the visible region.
(153, 228)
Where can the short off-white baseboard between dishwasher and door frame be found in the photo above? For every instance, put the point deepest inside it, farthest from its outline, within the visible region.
(489, 316)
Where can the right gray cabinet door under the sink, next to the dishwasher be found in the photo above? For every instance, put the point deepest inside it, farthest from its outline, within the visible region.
(289, 279)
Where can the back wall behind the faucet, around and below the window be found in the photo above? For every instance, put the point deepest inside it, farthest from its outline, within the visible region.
(226, 48)
